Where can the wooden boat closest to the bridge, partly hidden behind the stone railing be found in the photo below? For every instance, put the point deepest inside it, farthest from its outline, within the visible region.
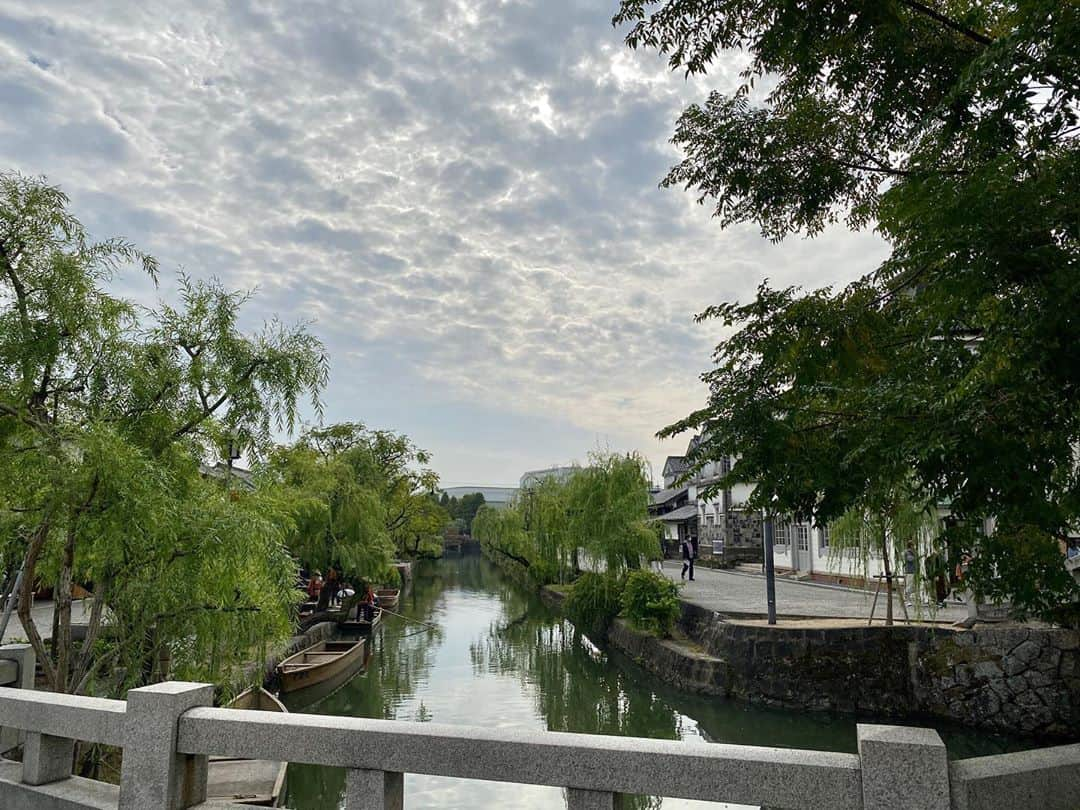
(253, 782)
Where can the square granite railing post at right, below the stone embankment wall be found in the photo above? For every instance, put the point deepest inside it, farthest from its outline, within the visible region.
(903, 768)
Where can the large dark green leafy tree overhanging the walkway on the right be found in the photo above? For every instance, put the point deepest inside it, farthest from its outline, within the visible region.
(952, 129)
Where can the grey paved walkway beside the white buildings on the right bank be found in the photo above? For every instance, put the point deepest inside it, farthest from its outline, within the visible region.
(731, 592)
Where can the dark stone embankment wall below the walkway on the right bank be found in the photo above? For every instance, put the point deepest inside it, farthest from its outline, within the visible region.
(1017, 680)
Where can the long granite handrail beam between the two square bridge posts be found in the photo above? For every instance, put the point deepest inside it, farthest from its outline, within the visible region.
(739, 774)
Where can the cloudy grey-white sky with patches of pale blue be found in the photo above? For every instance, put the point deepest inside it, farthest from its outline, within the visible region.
(461, 195)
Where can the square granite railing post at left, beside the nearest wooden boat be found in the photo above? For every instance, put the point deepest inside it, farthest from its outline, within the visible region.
(155, 777)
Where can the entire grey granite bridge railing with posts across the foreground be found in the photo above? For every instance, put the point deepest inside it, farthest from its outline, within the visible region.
(169, 731)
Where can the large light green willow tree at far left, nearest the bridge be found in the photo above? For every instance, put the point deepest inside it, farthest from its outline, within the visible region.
(107, 413)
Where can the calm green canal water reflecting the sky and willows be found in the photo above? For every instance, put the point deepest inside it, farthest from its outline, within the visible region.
(499, 658)
